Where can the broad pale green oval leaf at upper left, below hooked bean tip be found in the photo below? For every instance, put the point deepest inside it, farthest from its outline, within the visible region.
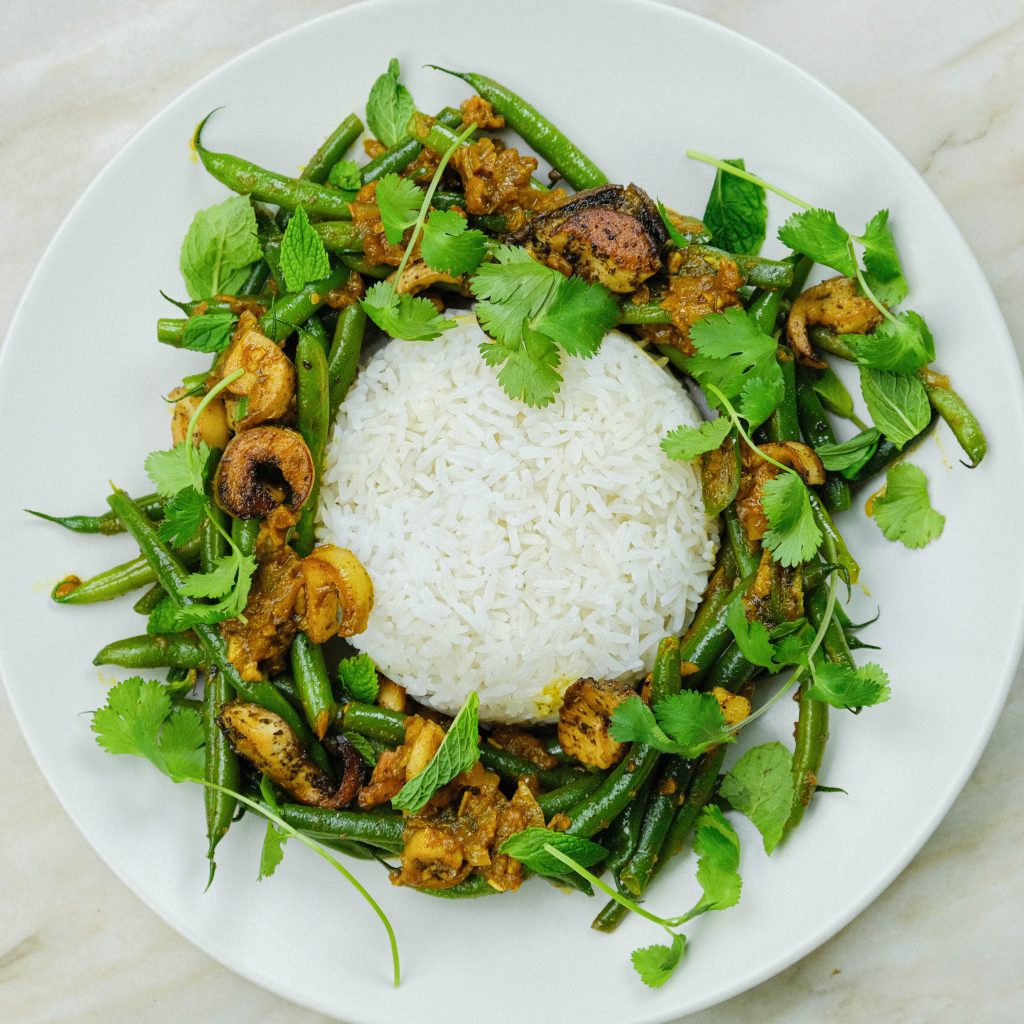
(220, 247)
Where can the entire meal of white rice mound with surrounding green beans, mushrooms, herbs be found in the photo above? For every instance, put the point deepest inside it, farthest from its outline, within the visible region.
(507, 504)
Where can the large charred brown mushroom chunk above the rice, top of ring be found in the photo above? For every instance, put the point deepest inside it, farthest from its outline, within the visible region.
(612, 235)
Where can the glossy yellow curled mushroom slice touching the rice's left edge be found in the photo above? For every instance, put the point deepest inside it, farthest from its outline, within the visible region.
(339, 593)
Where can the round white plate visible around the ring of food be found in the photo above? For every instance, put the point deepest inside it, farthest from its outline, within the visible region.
(80, 380)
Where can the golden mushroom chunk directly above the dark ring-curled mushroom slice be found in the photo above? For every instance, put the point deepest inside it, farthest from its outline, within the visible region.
(268, 387)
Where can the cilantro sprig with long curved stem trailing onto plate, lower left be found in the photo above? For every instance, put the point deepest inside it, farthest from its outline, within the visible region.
(140, 719)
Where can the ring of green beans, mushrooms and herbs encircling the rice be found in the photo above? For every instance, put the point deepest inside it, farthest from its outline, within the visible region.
(249, 613)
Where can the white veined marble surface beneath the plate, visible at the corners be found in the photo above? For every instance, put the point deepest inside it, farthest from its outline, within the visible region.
(945, 82)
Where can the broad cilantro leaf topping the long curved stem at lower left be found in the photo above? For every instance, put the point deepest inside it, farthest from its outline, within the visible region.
(139, 719)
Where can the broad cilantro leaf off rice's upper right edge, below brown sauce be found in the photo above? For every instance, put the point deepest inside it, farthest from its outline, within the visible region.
(731, 351)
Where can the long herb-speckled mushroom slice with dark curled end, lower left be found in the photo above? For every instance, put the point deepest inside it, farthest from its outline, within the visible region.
(269, 742)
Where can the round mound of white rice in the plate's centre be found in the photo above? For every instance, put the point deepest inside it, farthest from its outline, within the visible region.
(514, 550)
